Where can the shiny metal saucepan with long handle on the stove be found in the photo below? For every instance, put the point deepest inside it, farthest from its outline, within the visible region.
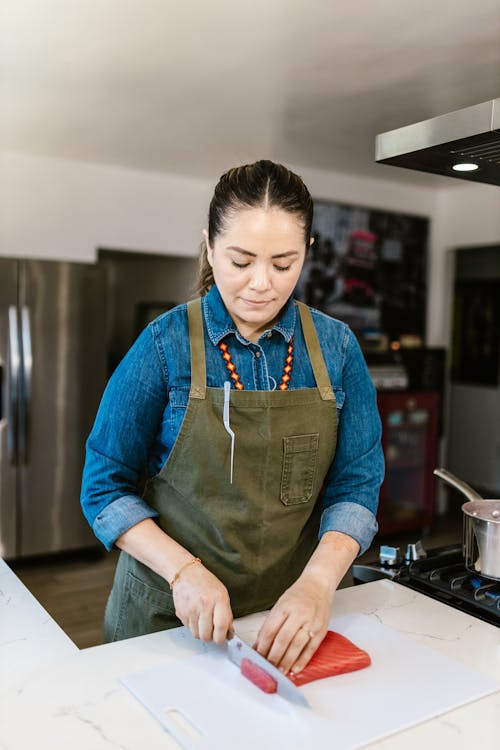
(481, 532)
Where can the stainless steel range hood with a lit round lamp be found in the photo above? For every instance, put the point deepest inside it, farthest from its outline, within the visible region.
(470, 136)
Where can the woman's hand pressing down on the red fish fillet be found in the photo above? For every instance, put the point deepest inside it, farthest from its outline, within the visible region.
(296, 625)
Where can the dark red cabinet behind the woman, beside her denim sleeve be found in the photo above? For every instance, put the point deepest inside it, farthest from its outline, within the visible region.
(409, 440)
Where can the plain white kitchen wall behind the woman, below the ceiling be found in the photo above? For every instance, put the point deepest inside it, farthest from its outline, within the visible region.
(62, 209)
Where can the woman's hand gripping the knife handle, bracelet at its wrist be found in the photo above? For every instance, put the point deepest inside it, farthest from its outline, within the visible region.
(202, 604)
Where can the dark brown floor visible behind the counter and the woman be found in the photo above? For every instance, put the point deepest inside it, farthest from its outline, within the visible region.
(74, 588)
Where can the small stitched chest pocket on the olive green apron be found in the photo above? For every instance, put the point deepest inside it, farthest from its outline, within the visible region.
(299, 467)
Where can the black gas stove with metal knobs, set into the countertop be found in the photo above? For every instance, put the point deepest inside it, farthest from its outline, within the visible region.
(439, 573)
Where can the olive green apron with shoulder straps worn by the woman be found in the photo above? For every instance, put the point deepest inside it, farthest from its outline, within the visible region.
(257, 533)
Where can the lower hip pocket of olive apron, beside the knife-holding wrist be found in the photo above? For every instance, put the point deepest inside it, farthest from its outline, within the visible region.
(144, 609)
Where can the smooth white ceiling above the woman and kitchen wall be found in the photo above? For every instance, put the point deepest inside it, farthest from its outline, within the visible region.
(192, 87)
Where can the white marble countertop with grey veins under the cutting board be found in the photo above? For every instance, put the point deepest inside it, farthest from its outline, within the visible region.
(54, 696)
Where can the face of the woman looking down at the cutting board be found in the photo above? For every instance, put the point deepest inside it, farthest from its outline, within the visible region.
(256, 263)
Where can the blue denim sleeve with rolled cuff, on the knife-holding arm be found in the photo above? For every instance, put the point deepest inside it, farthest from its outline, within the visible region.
(118, 446)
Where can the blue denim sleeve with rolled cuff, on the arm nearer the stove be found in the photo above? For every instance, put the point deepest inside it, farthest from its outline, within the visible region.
(352, 486)
